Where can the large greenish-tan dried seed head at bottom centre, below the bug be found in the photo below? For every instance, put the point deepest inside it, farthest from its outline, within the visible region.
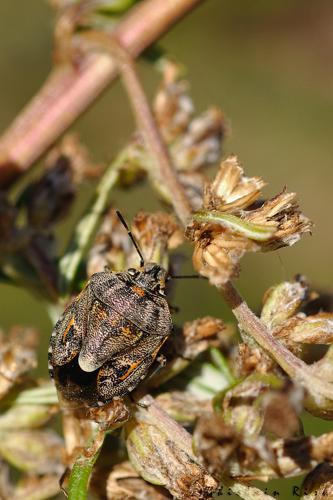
(161, 452)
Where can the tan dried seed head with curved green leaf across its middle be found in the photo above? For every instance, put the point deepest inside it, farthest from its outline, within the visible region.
(227, 226)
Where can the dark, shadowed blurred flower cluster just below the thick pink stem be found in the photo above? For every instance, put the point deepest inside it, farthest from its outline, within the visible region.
(27, 225)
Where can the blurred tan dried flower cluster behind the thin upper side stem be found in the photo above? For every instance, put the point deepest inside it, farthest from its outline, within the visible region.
(194, 142)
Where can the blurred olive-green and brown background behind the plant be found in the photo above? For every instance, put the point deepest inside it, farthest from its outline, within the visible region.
(268, 65)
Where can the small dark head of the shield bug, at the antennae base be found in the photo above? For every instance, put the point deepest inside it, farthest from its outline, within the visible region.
(150, 277)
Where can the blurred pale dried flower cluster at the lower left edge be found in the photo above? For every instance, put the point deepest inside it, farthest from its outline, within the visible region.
(25, 442)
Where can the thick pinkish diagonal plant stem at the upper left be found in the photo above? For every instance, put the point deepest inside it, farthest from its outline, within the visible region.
(69, 90)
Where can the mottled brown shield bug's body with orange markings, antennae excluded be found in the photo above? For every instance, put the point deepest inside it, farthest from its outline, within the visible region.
(108, 337)
